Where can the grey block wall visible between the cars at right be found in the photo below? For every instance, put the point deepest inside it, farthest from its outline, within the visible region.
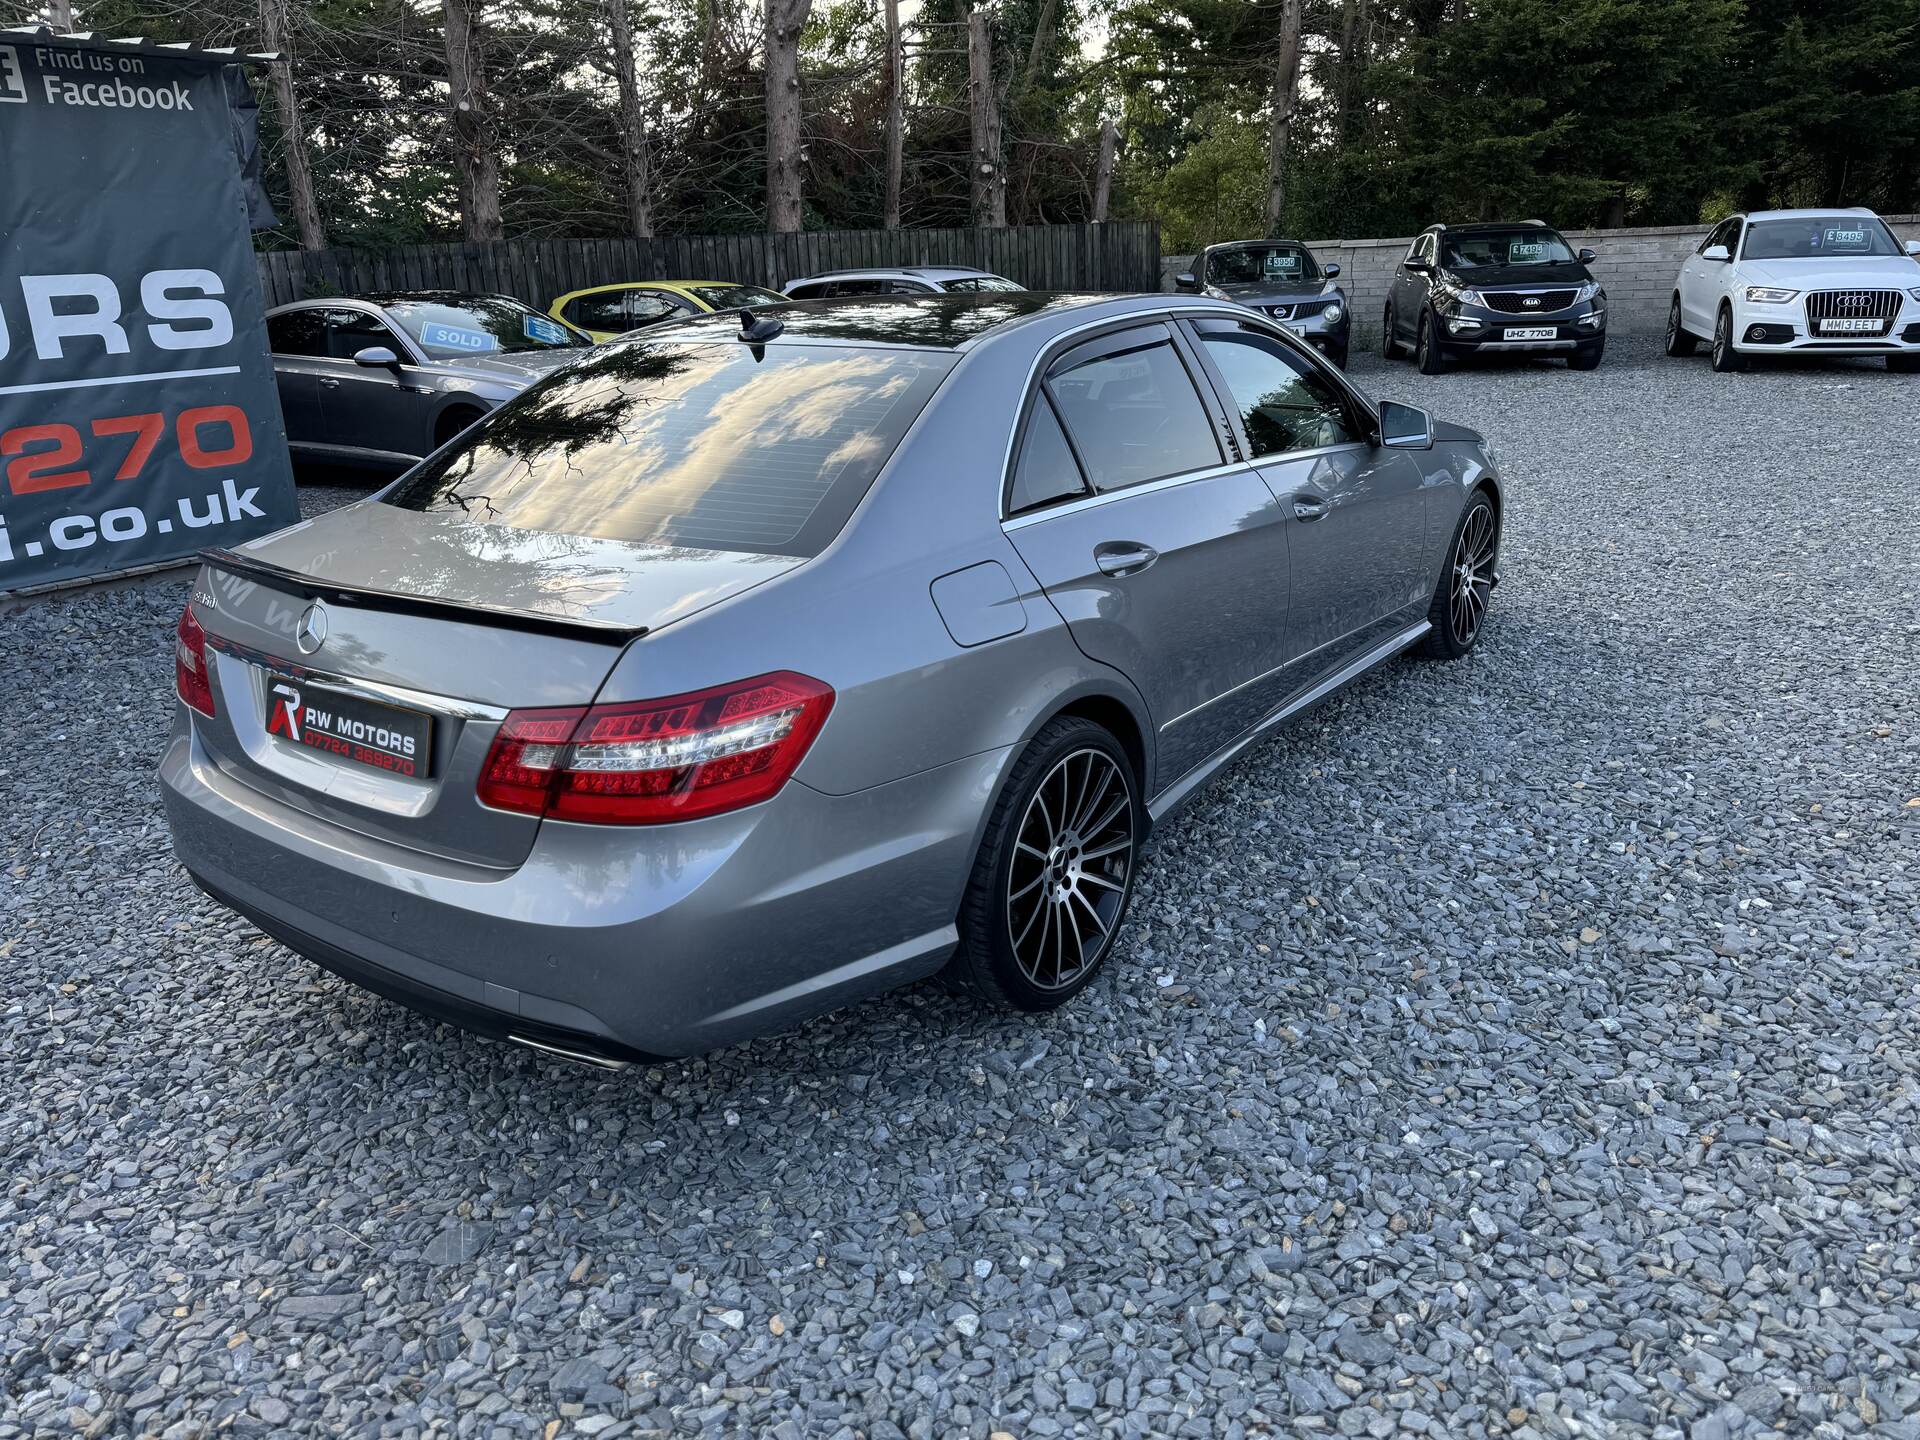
(1639, 270)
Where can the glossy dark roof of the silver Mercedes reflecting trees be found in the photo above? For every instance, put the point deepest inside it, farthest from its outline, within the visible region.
(948, 322)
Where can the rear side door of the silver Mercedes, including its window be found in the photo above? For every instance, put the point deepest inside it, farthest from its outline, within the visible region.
(1164, 554)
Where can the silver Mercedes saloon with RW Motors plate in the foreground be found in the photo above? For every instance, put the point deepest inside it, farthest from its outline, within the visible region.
(761, 663)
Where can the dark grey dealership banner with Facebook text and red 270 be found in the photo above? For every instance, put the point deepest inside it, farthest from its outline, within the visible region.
(139, 420)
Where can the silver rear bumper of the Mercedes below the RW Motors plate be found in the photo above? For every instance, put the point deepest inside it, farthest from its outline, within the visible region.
(610, 944)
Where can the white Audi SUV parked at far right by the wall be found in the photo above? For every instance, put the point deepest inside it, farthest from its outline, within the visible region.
(1800, 281)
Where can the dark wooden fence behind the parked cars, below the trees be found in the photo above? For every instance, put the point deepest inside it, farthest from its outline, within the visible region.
(1113, 258)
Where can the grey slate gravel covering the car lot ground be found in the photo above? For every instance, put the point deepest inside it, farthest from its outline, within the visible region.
(1518, 1047)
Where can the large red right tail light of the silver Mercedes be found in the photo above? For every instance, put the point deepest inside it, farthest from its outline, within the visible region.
(656, 761)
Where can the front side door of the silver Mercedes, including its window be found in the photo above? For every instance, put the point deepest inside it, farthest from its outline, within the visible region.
(1360, 510)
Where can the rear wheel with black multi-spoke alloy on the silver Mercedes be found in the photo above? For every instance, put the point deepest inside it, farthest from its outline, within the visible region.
(1055, 871)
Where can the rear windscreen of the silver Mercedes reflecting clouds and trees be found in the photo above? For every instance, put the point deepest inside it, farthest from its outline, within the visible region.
(713, 446)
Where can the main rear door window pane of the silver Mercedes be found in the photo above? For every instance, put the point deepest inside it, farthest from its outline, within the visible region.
(1136, 416)
